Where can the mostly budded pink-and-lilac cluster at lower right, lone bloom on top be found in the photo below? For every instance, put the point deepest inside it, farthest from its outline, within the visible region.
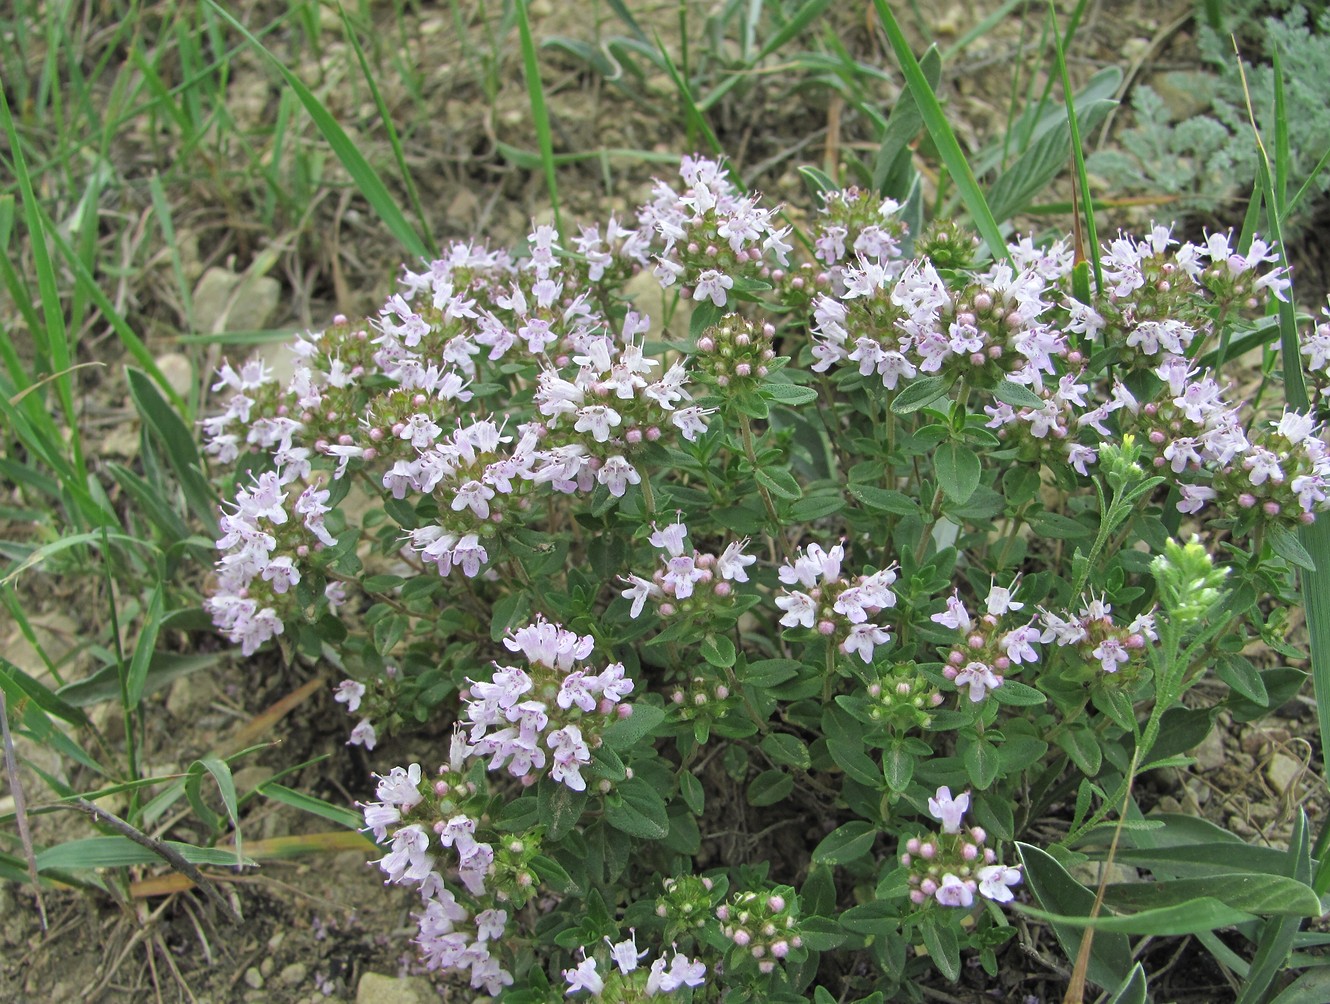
(954, 865)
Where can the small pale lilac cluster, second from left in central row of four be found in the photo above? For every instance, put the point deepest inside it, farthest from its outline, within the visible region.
(835, 606)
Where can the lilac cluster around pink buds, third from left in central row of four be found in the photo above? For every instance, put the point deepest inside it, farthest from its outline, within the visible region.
(989, 647)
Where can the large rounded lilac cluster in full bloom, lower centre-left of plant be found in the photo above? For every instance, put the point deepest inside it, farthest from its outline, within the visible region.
(554, 705)
